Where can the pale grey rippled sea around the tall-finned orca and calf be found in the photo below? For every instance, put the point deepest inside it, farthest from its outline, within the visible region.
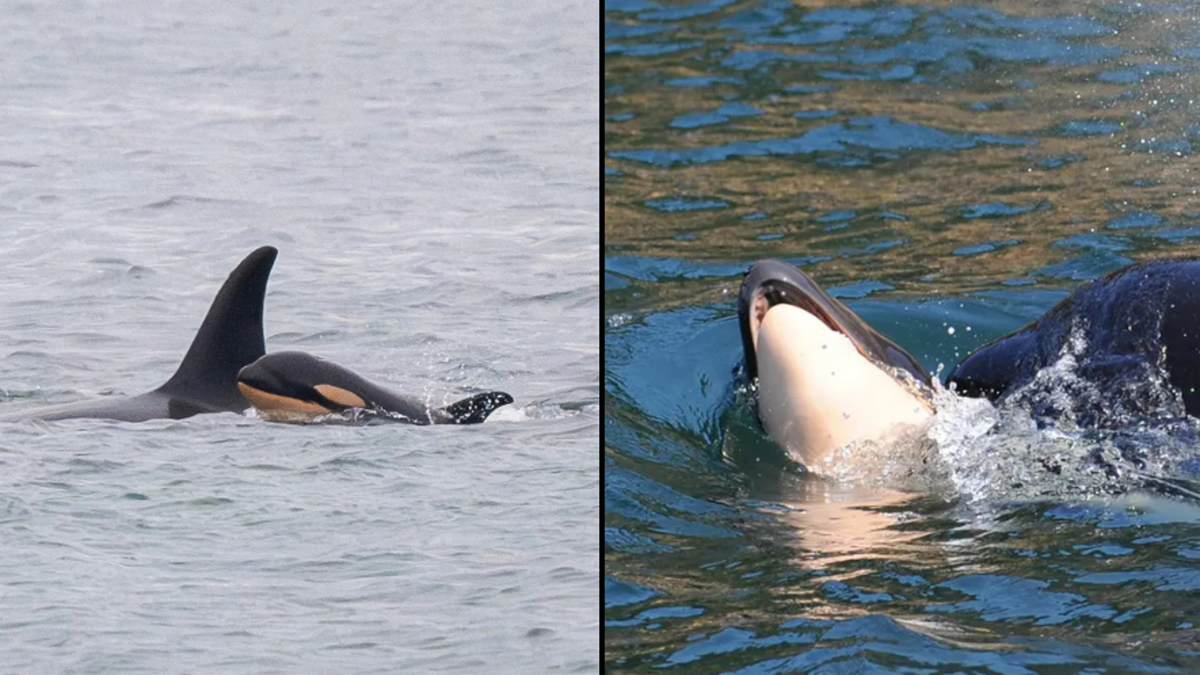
(427, 172)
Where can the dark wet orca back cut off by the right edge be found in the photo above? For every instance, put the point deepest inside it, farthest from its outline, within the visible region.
(1125, 334)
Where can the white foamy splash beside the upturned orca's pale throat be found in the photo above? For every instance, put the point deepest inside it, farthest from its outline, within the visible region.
(976, 452)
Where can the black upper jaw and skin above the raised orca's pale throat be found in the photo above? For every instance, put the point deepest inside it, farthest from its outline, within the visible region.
(778, 283)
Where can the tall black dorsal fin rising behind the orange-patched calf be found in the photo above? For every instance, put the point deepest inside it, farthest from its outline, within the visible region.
(230, 338)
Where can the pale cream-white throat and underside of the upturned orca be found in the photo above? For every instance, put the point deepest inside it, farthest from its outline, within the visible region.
(818, 393)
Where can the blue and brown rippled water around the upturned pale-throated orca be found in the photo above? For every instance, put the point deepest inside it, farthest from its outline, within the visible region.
(951, 171)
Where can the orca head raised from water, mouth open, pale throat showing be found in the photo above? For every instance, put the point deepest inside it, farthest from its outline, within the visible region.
(826, 378)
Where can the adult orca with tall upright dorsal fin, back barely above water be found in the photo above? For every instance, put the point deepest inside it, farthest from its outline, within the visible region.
(207, 381)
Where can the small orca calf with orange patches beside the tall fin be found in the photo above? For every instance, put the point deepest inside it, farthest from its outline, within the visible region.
(299, 387)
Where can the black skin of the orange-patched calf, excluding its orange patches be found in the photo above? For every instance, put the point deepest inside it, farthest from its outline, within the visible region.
(296, 375)
